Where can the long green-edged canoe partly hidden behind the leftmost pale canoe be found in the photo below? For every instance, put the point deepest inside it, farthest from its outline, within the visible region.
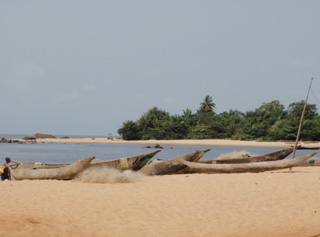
(133, 163)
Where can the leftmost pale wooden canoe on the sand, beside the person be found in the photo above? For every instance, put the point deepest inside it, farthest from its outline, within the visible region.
(66, 172)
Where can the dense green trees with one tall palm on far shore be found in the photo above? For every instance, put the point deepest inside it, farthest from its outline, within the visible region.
(270, 122)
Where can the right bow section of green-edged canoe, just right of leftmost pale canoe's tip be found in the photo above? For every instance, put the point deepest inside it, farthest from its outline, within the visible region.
(132, 163)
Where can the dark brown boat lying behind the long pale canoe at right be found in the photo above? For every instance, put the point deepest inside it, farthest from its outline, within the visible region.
(277, 155)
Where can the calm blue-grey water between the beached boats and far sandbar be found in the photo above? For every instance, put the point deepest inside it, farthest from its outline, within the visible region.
(68, 153)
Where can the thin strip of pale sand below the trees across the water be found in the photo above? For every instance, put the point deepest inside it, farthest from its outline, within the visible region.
(204, 142)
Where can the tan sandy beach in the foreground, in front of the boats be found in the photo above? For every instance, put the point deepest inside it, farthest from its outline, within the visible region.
(281, 203)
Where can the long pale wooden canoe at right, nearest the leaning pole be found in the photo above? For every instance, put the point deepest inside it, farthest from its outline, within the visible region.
(254, 167)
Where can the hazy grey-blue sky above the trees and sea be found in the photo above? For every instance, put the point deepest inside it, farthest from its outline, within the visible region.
(78, 67)
